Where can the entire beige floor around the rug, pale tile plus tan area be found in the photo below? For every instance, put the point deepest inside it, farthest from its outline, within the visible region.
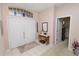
(43, 50)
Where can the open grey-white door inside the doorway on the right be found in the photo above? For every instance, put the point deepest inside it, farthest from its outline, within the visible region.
(59, 31)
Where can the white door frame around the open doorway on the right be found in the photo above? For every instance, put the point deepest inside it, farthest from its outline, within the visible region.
(57, 18)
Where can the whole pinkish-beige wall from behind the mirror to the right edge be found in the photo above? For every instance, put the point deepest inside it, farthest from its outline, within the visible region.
(51, 14)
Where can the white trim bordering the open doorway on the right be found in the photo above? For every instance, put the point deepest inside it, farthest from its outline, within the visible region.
(56, 27)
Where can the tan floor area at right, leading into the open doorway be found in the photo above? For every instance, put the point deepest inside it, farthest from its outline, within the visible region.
(59, 50)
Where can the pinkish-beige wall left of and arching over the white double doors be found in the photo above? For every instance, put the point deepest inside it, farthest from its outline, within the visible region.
(5, 15)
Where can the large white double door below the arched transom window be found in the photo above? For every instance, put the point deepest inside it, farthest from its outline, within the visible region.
(21, 31)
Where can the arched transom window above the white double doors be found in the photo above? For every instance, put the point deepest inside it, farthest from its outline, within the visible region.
(20, 12)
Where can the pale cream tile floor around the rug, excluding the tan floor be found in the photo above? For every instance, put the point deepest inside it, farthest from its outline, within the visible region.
(36, 51)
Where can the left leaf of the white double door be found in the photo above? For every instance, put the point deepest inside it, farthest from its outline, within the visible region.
(15, 32)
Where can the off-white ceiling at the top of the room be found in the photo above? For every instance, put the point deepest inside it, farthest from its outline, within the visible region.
(38, 6)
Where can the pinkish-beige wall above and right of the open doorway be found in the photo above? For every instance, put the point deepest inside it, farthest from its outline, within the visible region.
(71, 10)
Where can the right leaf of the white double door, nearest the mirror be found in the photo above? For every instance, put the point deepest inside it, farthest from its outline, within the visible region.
(30, 30)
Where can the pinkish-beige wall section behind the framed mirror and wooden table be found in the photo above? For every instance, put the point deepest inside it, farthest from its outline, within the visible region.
(47, 16)
